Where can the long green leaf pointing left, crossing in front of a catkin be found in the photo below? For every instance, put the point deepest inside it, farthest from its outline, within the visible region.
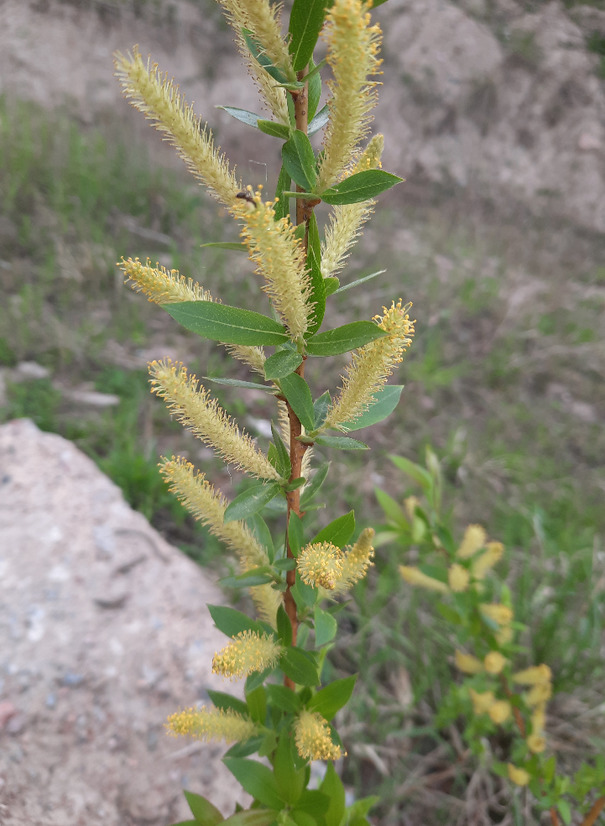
(229, 325)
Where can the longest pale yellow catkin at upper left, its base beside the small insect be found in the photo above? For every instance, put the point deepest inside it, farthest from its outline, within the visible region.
(160, 101)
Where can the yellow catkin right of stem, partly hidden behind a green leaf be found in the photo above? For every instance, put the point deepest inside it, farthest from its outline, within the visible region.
(346, 222)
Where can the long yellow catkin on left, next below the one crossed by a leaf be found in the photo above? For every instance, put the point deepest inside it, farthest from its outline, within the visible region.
(192, 405)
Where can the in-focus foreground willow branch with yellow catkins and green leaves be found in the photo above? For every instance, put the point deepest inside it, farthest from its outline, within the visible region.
(296, 578)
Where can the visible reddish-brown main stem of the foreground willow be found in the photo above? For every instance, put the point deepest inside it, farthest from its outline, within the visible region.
(297, 450)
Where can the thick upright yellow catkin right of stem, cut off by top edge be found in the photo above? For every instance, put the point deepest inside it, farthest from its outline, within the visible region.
(353, 45)
